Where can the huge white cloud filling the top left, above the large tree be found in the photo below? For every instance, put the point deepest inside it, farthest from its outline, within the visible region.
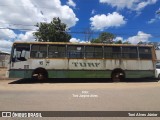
(26, 13)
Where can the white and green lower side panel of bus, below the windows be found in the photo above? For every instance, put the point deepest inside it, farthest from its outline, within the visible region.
(83, 68)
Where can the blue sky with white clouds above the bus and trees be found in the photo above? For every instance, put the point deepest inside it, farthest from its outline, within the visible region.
(129, 20)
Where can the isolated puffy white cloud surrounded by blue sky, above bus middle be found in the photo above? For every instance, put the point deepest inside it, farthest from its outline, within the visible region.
(101, 22)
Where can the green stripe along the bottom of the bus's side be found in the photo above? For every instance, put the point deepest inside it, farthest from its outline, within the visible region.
(81, 74)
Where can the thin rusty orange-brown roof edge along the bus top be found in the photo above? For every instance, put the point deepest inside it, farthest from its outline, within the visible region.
(69, 43)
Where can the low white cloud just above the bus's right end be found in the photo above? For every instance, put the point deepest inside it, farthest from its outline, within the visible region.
(141, 36)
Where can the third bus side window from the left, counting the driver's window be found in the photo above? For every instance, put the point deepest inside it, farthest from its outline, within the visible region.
(56, 51)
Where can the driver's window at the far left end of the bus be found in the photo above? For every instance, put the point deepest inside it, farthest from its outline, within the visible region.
(20, 52)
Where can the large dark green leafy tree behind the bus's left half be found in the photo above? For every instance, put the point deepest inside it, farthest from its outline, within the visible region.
(55, 31)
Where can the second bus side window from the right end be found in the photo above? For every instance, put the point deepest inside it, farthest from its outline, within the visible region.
(129, 52)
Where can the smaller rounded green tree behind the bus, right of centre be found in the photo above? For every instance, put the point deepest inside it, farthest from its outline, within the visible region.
(104, 37)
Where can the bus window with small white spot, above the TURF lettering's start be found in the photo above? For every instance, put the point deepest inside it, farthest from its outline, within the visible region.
(75, 51)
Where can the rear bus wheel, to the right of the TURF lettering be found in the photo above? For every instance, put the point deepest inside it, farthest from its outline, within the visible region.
(117, 75)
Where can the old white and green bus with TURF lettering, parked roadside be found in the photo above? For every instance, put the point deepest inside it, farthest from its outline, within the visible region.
(43, 60)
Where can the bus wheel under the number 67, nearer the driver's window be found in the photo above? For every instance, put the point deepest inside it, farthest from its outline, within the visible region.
(40, 74)
